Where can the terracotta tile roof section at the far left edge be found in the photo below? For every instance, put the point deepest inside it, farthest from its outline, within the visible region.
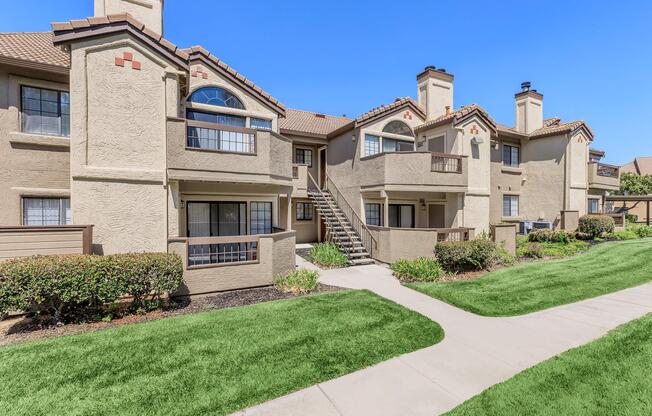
(33, 47)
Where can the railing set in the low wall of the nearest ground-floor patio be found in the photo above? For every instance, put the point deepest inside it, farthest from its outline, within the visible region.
(209, 251)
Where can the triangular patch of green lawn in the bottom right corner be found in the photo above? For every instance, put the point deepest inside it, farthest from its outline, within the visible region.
(610, 376)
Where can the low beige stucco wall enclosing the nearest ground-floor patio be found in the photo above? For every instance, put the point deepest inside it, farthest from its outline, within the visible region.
(277, 257)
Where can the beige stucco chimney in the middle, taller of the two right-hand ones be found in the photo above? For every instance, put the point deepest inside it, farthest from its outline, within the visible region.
(435, 91)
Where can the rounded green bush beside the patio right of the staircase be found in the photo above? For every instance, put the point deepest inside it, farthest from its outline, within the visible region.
(455, 256)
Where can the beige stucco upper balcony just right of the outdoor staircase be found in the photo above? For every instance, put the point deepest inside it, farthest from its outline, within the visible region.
(418, 171)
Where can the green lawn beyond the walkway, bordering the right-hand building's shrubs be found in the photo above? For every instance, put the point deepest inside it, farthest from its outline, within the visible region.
(530, 287)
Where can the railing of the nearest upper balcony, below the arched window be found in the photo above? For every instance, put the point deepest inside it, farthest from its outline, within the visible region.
(220, 137)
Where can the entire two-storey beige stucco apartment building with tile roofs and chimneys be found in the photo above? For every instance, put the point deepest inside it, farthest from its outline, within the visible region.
(105, 122)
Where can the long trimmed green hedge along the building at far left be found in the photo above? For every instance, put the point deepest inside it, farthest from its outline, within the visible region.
(73, 284)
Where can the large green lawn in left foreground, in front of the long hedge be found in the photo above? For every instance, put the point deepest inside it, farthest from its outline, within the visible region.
(209, 363)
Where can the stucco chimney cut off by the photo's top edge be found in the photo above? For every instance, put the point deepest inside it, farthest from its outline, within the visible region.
(148, 12)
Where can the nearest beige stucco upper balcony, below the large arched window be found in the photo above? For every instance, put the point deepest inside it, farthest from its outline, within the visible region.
(202, 151)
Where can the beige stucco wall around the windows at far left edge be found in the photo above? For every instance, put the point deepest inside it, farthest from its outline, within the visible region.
(30, 165)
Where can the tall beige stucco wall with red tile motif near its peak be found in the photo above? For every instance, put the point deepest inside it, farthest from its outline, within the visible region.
(118, 144)
